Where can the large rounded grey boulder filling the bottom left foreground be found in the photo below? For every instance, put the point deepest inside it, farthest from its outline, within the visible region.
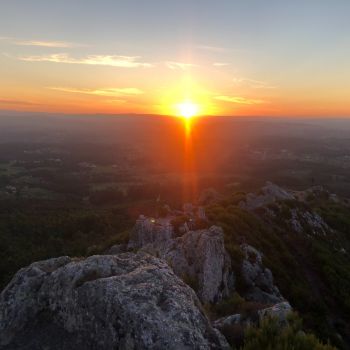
(126, 301)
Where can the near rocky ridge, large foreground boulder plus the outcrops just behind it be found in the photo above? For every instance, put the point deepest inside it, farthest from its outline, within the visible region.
(138, 295)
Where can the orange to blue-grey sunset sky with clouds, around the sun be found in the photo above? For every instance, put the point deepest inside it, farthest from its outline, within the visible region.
(228, 57)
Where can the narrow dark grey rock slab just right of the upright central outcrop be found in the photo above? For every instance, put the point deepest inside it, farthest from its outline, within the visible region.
(258, 279)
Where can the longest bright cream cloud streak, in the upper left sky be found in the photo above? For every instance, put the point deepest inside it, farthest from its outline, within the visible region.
(95, 60)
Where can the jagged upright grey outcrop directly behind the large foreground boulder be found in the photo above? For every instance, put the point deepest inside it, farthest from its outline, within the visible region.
(199, 257)
